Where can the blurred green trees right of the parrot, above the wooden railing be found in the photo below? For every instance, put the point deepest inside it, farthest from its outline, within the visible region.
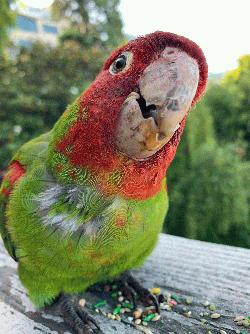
(209, 180)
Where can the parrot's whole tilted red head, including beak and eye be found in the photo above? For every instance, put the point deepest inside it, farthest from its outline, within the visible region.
(133, 114)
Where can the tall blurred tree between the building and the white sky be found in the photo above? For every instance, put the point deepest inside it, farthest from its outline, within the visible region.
(92, 23)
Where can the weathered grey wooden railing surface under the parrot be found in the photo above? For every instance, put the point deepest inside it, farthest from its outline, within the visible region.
(205, 271)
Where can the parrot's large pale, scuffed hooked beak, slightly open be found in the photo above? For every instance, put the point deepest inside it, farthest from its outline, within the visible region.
(150, 116)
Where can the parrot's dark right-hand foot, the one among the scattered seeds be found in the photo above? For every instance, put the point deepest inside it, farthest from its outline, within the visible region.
(130, 287)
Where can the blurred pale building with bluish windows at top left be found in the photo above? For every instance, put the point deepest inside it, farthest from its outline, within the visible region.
(34, 24)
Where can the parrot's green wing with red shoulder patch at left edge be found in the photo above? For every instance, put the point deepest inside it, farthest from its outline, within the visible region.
(19, 165)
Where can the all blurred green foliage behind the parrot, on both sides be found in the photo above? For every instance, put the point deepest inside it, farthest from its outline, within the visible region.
(209, 179)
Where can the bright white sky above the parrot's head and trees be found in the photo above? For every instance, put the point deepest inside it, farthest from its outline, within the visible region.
(220, 27)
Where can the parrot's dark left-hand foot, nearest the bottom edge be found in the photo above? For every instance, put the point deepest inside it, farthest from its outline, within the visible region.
(75, 316)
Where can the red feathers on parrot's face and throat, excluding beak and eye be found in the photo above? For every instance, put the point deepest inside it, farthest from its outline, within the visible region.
(90, 141)
